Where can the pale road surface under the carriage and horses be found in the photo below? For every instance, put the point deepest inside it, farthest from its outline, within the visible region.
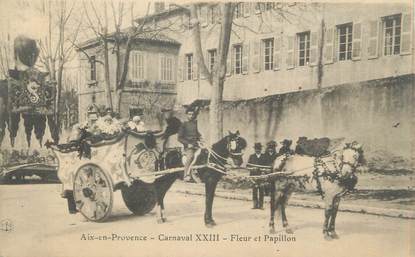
(42, 227)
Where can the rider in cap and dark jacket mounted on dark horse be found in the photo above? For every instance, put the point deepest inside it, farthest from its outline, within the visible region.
(189, 136)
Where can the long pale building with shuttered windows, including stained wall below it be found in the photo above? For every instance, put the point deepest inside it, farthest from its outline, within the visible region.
(296, 69)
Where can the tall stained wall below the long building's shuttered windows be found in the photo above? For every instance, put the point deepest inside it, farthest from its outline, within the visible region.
(380, 114)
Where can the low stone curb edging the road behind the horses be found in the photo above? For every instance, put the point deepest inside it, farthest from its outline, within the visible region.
(395, 213)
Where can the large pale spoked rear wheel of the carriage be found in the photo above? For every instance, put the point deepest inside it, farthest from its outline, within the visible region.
(93, 193)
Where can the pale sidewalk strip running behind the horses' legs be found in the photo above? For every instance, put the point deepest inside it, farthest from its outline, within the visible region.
(311, 200)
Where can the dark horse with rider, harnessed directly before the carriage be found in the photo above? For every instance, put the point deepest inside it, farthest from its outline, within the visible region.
(227, 151)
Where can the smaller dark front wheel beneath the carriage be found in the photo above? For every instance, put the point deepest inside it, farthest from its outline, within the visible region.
(140, 197)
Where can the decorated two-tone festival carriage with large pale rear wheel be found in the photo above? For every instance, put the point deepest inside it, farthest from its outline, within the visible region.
(92, 169)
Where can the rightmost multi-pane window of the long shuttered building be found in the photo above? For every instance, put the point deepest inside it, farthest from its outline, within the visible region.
(392, 34)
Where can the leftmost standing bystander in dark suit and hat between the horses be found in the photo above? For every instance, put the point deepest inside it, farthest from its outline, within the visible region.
(255, 159)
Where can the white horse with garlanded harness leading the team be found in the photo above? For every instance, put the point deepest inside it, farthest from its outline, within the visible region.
(332, 175)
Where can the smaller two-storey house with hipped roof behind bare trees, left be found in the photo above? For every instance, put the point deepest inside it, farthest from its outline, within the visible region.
(151, 79)
